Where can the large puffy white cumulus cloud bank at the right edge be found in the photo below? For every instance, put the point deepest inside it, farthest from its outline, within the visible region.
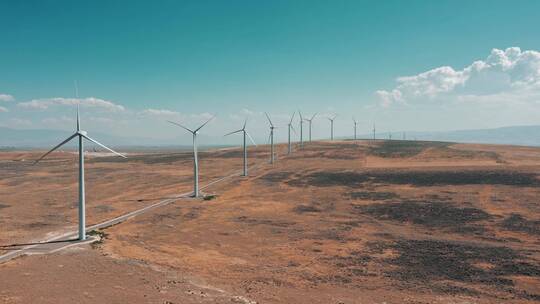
(512, 74)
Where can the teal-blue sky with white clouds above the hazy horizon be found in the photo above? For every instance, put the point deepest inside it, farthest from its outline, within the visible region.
(148, 61)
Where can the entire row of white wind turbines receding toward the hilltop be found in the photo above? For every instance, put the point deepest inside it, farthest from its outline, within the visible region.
(82, 135)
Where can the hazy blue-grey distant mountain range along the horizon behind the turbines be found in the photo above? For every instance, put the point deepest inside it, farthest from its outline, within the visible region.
(514, 135)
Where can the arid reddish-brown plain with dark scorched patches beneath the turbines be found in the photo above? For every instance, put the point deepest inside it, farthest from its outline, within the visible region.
(336, 222)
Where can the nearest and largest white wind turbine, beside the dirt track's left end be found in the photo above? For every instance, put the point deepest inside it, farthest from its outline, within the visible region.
(80, 134)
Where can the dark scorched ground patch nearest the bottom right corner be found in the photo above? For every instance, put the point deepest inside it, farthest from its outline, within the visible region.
(430, 261)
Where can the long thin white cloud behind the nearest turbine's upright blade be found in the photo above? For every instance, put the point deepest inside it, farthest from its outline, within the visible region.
(90, 102)
